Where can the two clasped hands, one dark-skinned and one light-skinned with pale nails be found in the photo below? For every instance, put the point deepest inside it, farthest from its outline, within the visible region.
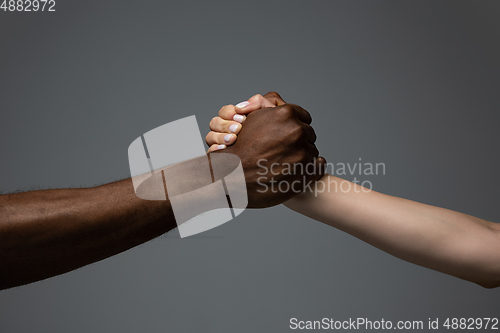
(275, 143)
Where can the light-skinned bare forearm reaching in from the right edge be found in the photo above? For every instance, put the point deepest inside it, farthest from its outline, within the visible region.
(444, 240)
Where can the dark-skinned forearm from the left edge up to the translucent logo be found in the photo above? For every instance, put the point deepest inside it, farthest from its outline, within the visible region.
(50, 232)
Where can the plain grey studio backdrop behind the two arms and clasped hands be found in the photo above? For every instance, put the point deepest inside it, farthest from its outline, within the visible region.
(412, 84)
